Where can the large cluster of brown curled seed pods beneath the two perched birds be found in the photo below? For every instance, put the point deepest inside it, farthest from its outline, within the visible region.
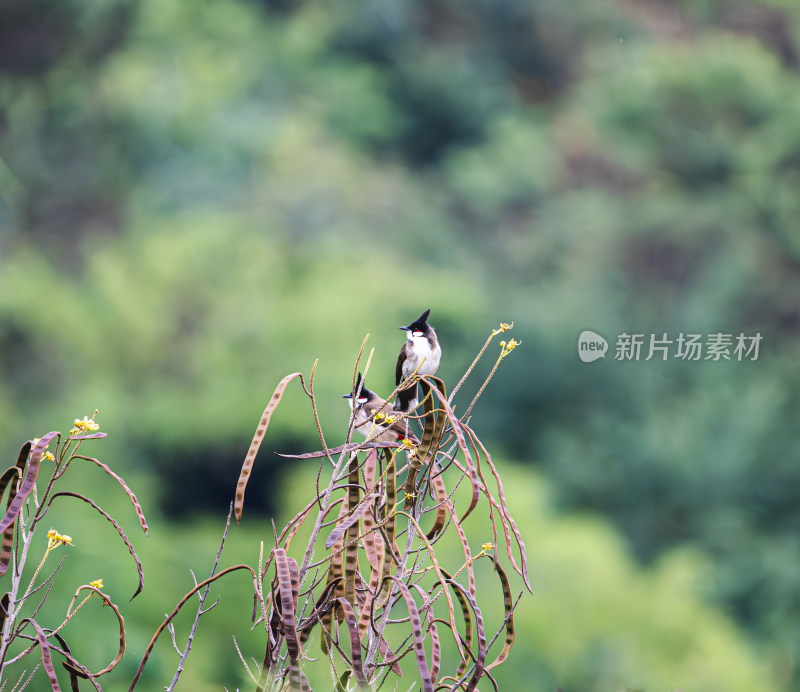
(369, 583)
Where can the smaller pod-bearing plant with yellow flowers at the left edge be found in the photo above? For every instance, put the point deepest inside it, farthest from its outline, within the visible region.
(26, 640)
